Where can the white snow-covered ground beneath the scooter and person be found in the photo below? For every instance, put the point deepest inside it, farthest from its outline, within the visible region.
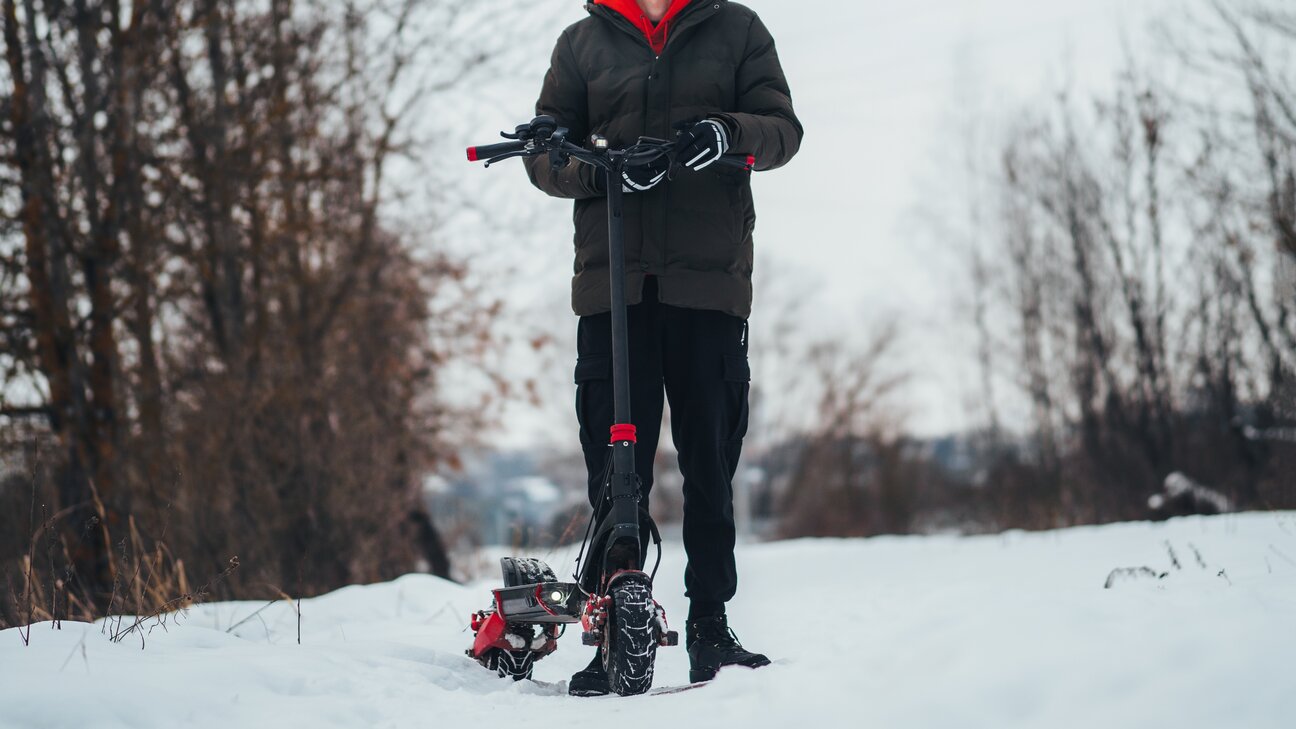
(1004, 631)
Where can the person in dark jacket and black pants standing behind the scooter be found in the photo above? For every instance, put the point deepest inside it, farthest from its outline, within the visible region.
(649, 68)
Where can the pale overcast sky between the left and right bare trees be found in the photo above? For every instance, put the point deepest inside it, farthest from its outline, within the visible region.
(886, 91)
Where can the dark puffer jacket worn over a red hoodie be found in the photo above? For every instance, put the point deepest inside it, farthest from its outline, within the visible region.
(693, 233)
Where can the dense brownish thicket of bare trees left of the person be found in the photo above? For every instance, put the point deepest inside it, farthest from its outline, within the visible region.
(212, 312)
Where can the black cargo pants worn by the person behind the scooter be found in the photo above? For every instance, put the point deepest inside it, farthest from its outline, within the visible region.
(699, 359)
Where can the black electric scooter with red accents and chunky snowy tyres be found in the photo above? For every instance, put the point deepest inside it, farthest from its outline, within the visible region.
(612, 597)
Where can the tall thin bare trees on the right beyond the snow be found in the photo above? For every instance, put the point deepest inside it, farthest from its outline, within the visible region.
(1139, 241)
